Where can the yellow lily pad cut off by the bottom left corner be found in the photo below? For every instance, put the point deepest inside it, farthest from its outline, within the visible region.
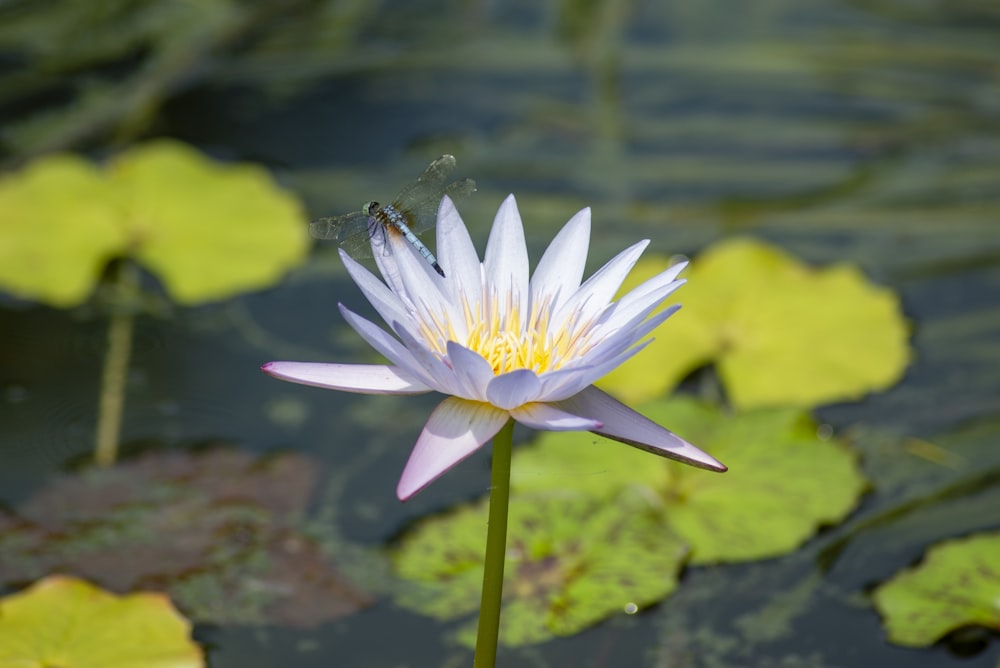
(69, 623)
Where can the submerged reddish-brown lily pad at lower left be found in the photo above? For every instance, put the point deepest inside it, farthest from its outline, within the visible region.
(220, 531)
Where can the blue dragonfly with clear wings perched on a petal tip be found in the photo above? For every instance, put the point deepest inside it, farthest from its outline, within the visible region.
(414, 210)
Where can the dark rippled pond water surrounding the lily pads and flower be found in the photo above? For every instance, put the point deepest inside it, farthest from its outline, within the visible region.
(859, 131)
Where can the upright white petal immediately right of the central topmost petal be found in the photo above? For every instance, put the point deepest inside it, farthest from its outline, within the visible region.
(560, 270)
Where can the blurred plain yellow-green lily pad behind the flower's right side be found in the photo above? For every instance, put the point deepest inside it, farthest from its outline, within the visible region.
(781, 333)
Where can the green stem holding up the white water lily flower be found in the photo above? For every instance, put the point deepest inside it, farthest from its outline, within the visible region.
(496, 550)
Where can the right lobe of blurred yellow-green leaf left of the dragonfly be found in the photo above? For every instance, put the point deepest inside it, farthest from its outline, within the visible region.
(208, 230)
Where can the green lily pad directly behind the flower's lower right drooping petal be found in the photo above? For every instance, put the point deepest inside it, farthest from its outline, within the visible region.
(784, 481)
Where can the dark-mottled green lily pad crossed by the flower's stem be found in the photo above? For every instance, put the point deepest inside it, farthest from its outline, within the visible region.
(570, 563)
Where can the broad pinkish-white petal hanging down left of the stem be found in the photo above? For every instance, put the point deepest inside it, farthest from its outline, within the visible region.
(455, 430)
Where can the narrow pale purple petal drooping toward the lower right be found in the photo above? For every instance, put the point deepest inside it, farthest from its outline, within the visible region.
(621, 423)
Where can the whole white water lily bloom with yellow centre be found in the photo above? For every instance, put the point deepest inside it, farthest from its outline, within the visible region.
(502, 345)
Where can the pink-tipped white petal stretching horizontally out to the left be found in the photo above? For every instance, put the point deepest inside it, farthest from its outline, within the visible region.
(361, 378)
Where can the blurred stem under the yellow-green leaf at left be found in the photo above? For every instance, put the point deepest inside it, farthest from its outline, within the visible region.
(116, 356)
